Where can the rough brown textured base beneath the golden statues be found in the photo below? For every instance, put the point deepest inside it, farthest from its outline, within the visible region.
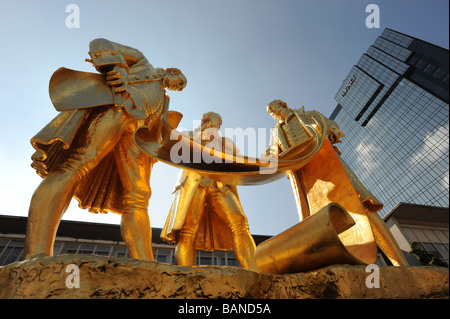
(102, 277)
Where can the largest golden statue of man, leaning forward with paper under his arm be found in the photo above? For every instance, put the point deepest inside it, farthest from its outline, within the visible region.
(87, 150)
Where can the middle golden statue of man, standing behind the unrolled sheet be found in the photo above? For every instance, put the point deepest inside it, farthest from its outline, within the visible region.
(207, 214)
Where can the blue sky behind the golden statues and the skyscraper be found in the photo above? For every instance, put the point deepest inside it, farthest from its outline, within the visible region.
(237, 55)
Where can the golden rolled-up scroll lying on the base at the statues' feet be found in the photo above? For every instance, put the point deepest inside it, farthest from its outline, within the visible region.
(310, 244)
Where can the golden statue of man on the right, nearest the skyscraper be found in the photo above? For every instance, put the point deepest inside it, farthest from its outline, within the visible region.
(326, 179)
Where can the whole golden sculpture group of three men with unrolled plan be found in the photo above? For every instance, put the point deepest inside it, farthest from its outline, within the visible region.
(113, 125)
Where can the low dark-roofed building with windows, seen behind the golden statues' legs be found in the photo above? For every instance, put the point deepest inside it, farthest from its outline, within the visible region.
(97, 239)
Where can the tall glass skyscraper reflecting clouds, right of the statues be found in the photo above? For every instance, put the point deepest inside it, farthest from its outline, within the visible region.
(393, 108)
